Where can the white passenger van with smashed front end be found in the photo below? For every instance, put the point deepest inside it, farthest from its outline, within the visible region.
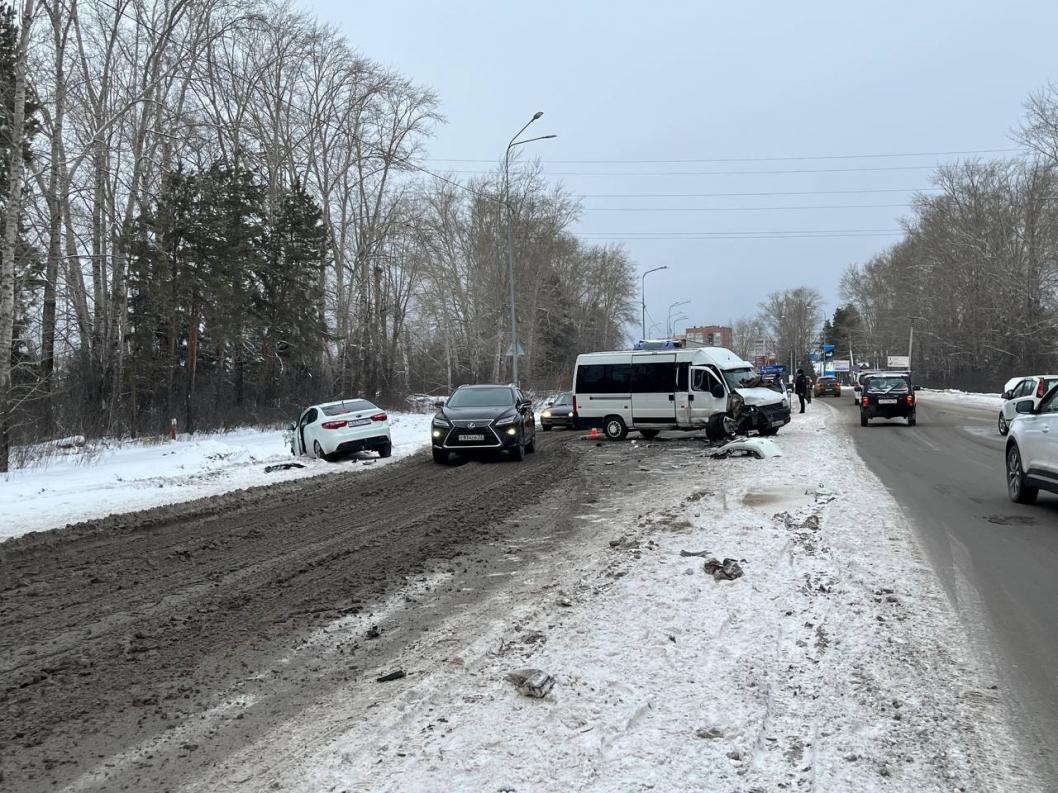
(651, 391)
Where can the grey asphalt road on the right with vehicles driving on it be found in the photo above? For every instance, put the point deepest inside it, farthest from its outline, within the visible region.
(997, 561)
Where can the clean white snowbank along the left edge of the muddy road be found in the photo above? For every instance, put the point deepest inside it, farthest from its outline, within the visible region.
(105, 478)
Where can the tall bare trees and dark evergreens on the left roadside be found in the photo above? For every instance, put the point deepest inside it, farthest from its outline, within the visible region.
(213, 212)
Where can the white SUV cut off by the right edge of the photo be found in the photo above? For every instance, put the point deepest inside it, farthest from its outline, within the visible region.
(1032, 450)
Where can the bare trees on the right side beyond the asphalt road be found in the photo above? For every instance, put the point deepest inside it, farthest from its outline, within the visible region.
(977, 270)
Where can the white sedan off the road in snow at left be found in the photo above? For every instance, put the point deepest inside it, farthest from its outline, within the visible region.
(342, 428)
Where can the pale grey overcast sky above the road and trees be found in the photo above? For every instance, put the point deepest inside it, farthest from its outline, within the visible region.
(627, 82)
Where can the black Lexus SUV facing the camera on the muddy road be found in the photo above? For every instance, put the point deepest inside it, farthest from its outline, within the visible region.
(483, 419)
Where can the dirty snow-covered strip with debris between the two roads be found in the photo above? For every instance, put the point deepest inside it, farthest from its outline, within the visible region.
(835, 663)
